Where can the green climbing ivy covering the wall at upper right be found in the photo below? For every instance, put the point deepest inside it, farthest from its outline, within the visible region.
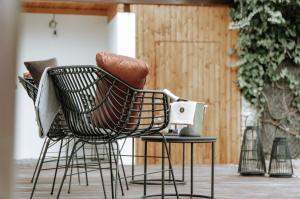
(269, 34)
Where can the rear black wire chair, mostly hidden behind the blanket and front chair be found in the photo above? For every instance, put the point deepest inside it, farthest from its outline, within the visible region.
(59, 133)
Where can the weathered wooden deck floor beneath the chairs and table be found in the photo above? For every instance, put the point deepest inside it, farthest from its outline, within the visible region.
(228, 184)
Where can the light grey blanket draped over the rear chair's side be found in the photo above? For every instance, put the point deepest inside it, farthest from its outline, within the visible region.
(47, 104)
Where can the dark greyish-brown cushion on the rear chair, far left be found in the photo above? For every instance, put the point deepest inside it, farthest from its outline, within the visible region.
(36, 68)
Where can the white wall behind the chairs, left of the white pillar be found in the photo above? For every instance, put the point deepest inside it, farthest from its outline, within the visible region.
(78, 40)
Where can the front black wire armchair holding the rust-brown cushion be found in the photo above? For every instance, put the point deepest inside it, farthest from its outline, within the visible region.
(116, 110)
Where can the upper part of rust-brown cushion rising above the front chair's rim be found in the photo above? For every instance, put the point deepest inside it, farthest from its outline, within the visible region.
(130, 70)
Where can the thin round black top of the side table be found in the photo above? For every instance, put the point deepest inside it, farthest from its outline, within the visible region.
(179, 139)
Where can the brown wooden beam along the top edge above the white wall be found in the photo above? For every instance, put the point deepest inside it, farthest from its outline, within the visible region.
(103, 7)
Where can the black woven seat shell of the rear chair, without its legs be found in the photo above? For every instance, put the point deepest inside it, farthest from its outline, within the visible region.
(59, 128)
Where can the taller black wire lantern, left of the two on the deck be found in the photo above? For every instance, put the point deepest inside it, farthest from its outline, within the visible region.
(252, 160)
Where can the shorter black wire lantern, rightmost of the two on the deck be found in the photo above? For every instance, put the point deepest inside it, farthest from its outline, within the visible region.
(281, 160)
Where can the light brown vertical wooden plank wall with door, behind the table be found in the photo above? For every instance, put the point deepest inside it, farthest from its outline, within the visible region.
(187, 51)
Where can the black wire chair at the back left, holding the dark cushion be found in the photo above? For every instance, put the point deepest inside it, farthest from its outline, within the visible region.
(59, 132)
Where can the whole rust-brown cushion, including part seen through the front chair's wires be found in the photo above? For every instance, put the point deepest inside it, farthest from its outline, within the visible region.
(130, 70)
